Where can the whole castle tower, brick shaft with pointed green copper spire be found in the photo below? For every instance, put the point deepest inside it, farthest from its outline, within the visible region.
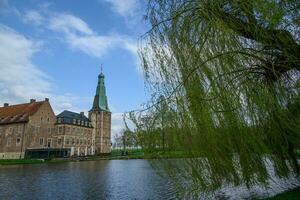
(100, 117)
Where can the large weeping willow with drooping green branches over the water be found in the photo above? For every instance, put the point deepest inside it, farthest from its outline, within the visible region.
(229, 72)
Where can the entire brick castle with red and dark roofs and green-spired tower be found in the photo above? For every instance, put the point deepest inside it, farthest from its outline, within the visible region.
(31, 130)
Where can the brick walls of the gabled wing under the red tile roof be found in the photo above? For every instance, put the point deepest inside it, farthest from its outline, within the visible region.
(36, 133)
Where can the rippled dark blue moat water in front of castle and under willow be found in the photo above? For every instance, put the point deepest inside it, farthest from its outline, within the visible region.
(108, 179)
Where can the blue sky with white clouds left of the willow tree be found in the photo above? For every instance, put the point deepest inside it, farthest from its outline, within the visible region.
(54, 49)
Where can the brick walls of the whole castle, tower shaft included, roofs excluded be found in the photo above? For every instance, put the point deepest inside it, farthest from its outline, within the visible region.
(42, 131)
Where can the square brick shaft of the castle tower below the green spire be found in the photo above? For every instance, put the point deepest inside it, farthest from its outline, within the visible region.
(101, 122)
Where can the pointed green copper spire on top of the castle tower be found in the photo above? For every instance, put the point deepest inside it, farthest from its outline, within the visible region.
(100, 100)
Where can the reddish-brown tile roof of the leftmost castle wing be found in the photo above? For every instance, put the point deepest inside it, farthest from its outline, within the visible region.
(18, 113)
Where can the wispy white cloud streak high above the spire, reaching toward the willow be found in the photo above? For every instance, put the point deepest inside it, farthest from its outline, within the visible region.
(80, 36)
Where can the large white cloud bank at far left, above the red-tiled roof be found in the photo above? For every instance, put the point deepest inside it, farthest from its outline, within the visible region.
(20, 79)
